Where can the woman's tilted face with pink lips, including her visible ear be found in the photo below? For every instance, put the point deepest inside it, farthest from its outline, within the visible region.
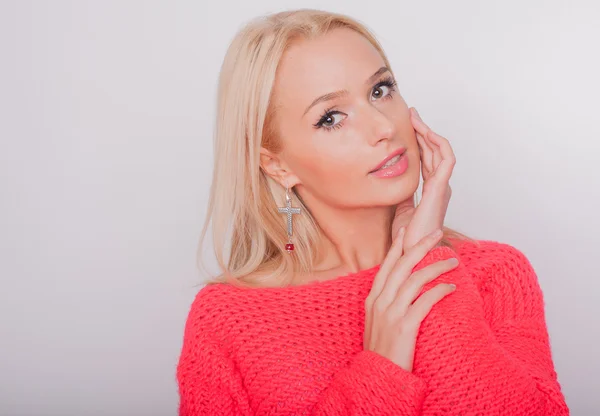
(338, 117)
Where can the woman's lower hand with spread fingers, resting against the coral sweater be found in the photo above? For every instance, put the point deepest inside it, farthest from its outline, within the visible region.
(392, 320)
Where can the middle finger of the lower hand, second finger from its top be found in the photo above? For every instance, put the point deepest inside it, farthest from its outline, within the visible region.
(404, 266)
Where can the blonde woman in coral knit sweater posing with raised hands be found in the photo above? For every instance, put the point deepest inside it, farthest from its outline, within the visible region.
(338, 297)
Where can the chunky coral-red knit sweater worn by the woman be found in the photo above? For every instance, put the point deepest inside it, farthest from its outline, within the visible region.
(298, 350)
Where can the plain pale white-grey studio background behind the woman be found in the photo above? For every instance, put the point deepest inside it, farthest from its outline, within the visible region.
(106, 112)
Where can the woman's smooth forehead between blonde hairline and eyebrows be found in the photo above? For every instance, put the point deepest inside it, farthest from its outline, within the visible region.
(339, 59)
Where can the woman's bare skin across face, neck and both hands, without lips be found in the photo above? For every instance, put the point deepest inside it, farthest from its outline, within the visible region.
(366, 220)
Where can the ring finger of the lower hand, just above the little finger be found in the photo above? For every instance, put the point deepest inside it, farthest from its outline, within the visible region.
(413, 286)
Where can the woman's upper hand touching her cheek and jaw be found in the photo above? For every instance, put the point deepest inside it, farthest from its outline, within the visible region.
(437, 164)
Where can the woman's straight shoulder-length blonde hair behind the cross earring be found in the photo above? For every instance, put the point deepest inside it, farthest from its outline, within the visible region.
(243, 198)
